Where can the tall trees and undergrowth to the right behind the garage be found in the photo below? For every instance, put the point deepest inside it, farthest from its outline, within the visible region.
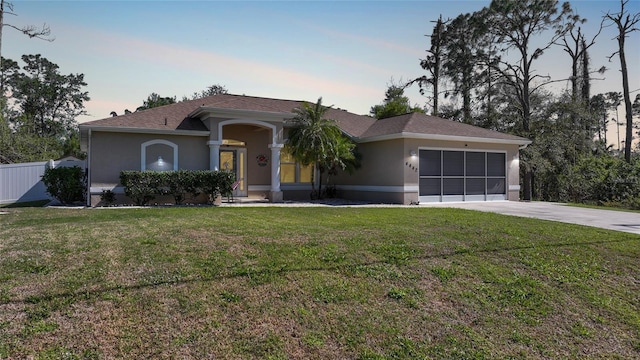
(480, 68)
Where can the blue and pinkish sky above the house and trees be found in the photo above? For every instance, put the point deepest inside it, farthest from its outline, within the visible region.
(346, 52)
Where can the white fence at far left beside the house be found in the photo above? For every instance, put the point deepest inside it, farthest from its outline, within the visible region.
(23, 182)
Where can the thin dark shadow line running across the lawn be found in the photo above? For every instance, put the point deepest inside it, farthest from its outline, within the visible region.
(87, 294)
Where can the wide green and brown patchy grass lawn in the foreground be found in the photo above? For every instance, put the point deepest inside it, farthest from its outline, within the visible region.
(313, 283)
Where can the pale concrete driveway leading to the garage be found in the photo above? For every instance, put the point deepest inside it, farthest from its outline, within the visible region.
(606, 219)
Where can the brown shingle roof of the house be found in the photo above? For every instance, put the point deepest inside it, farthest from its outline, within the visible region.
(360, 127)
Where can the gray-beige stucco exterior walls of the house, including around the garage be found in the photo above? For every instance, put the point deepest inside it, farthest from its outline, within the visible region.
(388, 174)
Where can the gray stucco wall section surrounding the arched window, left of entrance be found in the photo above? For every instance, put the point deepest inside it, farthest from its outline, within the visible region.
(114, 152)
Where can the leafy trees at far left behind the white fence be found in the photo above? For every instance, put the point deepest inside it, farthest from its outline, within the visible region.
(39, 107)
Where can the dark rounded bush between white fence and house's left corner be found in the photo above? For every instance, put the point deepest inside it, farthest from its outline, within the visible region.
(67, 184)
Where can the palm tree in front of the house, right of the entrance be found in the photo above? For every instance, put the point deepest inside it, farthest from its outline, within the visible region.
(314, 139)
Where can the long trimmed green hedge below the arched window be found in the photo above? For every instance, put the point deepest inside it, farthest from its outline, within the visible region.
(143, 186)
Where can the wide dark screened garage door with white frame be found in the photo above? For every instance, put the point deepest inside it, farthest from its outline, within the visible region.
(453, 175)
